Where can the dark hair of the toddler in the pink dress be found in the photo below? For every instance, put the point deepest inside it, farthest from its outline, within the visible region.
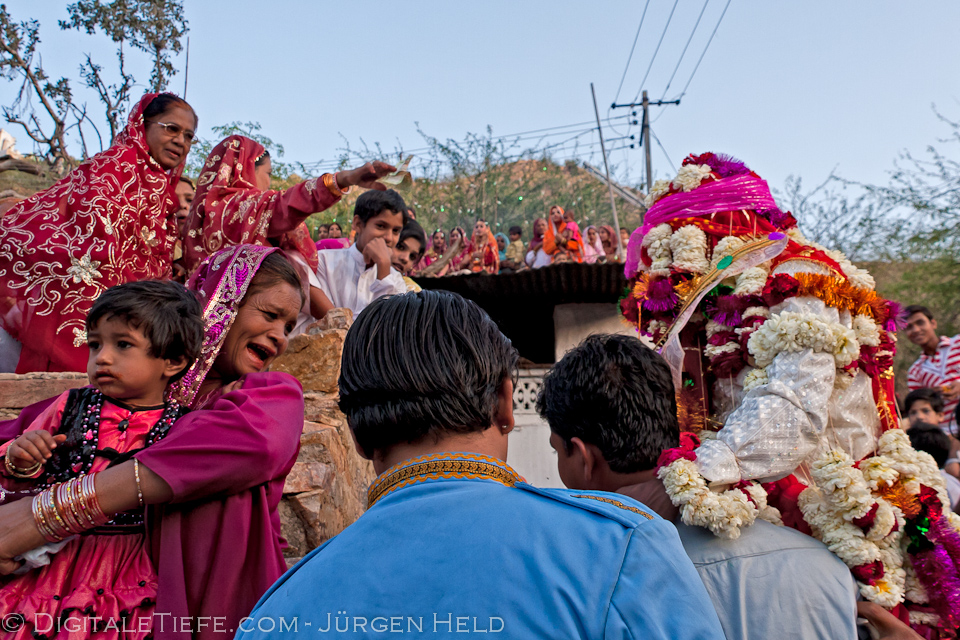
(165, 312)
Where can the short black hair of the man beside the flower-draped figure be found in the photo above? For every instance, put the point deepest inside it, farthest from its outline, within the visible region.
(615, 393)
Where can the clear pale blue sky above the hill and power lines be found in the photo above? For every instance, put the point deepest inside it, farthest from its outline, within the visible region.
(791, 88)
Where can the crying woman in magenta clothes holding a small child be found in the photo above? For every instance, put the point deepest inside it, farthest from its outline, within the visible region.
(213, 484)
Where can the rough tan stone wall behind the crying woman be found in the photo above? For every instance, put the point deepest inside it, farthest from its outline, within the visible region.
(327, 487)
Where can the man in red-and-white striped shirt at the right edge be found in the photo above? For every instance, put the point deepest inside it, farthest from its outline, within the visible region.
(938, 367)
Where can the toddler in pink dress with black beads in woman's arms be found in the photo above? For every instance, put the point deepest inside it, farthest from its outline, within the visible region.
(142, 336)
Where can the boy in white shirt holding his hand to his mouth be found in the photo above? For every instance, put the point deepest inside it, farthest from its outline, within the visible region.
(355, 276)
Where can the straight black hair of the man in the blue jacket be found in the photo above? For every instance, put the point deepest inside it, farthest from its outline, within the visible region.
(422, 365)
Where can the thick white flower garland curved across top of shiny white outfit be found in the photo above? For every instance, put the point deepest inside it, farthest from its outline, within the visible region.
(793, 332)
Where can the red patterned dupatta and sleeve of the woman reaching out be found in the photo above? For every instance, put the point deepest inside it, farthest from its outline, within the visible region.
(229, 209)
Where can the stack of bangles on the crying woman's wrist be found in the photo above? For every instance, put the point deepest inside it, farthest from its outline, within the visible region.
(68, 508)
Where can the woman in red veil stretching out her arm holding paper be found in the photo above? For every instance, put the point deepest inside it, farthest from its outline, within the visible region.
(235, 205)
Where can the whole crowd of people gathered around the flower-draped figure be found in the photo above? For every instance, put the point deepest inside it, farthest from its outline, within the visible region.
(747, 477)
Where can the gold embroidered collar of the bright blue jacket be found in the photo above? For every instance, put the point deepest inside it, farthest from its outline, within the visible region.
(441, 466)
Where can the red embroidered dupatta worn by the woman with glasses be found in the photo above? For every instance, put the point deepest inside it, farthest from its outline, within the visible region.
(109, 221)
